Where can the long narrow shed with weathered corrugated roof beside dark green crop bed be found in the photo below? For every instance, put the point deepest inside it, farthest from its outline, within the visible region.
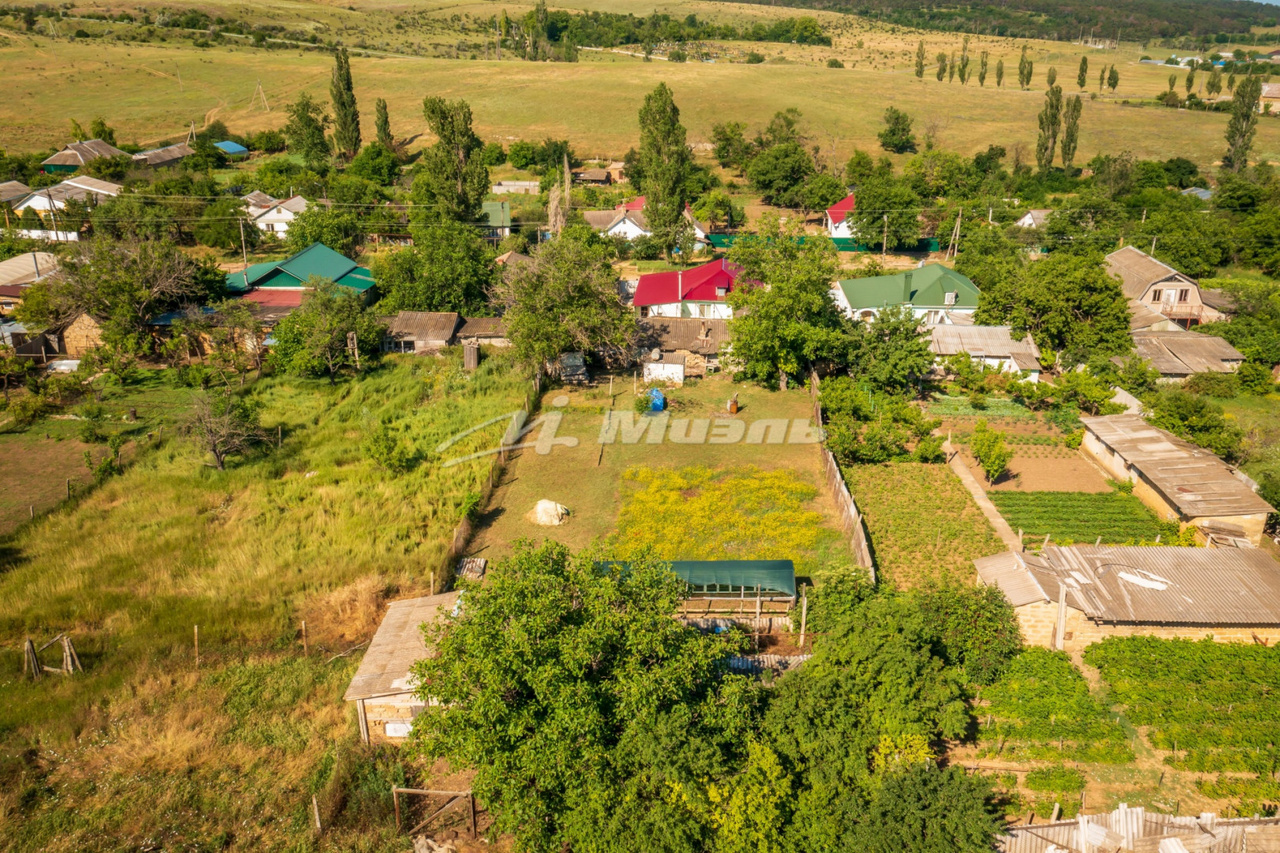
(1180, 481)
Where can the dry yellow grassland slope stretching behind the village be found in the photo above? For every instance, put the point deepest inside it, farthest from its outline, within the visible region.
(153, 92)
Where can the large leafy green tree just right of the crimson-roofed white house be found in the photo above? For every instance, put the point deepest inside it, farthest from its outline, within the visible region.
(785, 318)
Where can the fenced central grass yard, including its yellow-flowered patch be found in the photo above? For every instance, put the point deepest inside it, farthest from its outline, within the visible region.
(689, 489)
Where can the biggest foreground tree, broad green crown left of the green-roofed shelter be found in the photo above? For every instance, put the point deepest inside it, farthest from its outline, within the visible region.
(593, 718)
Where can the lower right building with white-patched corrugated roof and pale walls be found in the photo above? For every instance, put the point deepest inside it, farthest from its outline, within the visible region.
(1071, 597)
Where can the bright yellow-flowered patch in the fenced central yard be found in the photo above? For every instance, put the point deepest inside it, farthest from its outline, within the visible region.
(740, 514)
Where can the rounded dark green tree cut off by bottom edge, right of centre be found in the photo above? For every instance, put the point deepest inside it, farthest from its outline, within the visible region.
(924, 810)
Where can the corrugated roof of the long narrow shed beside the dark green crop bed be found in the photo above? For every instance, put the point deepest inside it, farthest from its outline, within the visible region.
(1191, 478)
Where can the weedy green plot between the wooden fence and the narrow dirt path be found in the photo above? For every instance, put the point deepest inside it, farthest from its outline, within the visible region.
(924, 524)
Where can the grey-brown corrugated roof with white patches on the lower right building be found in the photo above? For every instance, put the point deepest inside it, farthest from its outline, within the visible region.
(1136, 585)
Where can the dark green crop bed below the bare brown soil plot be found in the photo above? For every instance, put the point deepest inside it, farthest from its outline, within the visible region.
(1081, 517)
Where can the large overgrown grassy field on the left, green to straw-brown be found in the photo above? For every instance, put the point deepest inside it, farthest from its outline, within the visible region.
(144, 750)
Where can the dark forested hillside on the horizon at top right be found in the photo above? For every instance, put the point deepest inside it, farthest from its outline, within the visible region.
(1136, 20)
